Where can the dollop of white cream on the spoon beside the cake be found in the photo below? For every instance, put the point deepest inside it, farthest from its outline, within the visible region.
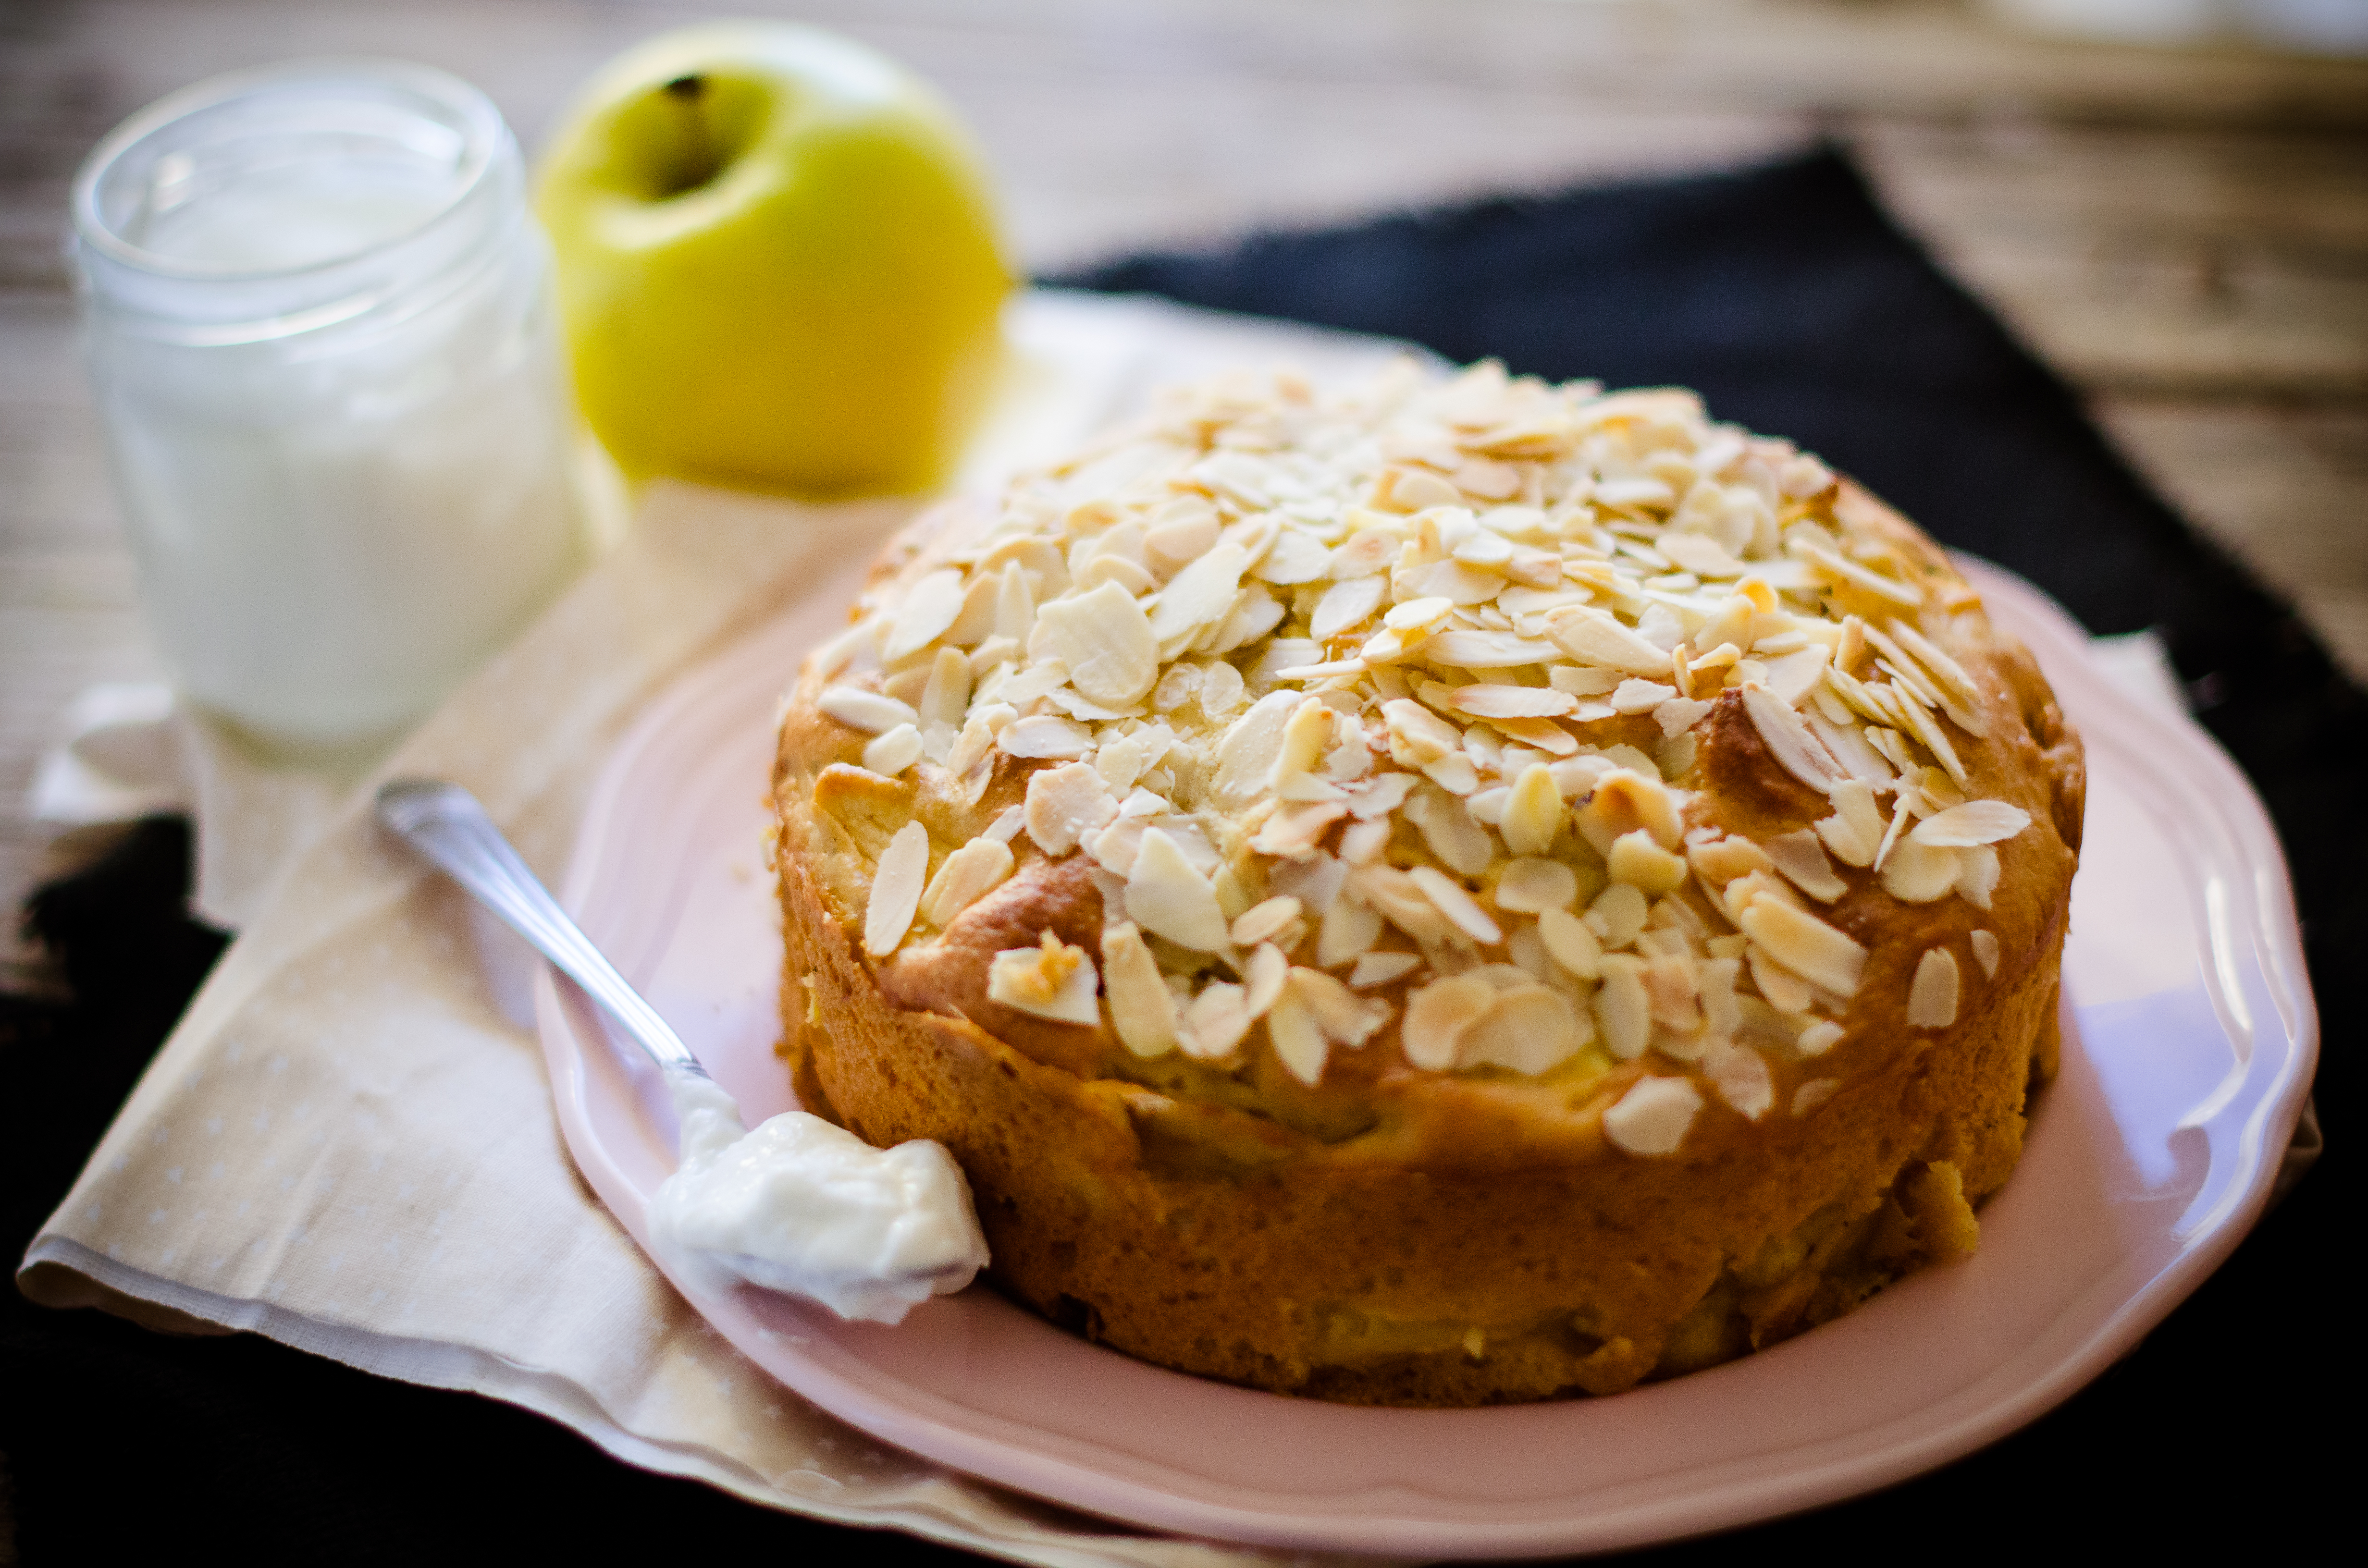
(813, 1212)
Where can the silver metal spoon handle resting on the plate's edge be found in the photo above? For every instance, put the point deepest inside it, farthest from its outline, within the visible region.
(446, 825)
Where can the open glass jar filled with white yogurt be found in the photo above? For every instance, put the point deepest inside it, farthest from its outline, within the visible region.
(323, 345)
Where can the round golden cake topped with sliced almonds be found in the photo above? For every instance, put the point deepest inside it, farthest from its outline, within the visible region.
(1441, 892)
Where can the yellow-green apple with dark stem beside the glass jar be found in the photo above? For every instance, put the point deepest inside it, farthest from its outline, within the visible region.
(778, 262)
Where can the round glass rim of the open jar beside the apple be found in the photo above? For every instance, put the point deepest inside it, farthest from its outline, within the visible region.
(482, 129)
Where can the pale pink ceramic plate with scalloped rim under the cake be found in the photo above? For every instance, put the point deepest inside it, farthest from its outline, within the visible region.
(2187, 1055)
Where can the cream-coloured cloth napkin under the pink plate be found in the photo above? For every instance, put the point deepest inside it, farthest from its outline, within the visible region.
(349, 1140)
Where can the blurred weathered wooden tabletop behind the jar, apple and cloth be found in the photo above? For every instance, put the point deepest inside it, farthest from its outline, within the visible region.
(2184, 233)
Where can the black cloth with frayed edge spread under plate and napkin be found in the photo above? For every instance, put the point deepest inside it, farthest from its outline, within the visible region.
(1796, 307)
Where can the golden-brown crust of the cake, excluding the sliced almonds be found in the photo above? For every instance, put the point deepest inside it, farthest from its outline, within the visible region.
(1422, 1235)
